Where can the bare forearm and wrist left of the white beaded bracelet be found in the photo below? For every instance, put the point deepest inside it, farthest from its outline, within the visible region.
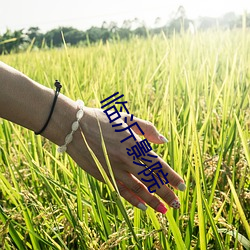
(27, 103)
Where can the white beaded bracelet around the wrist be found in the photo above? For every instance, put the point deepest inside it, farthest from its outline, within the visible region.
(74, 127)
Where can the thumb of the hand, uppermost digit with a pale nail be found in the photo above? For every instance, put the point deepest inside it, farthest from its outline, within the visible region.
(150, 131)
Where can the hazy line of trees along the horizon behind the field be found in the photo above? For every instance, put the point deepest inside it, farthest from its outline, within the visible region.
(20, 40)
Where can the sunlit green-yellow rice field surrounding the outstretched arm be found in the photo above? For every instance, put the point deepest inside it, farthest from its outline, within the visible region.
(195, 89)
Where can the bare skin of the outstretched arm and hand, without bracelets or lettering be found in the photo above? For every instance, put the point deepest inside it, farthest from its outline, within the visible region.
(21, 98)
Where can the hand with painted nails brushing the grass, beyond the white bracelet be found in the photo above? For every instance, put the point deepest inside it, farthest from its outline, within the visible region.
(125, 172)
